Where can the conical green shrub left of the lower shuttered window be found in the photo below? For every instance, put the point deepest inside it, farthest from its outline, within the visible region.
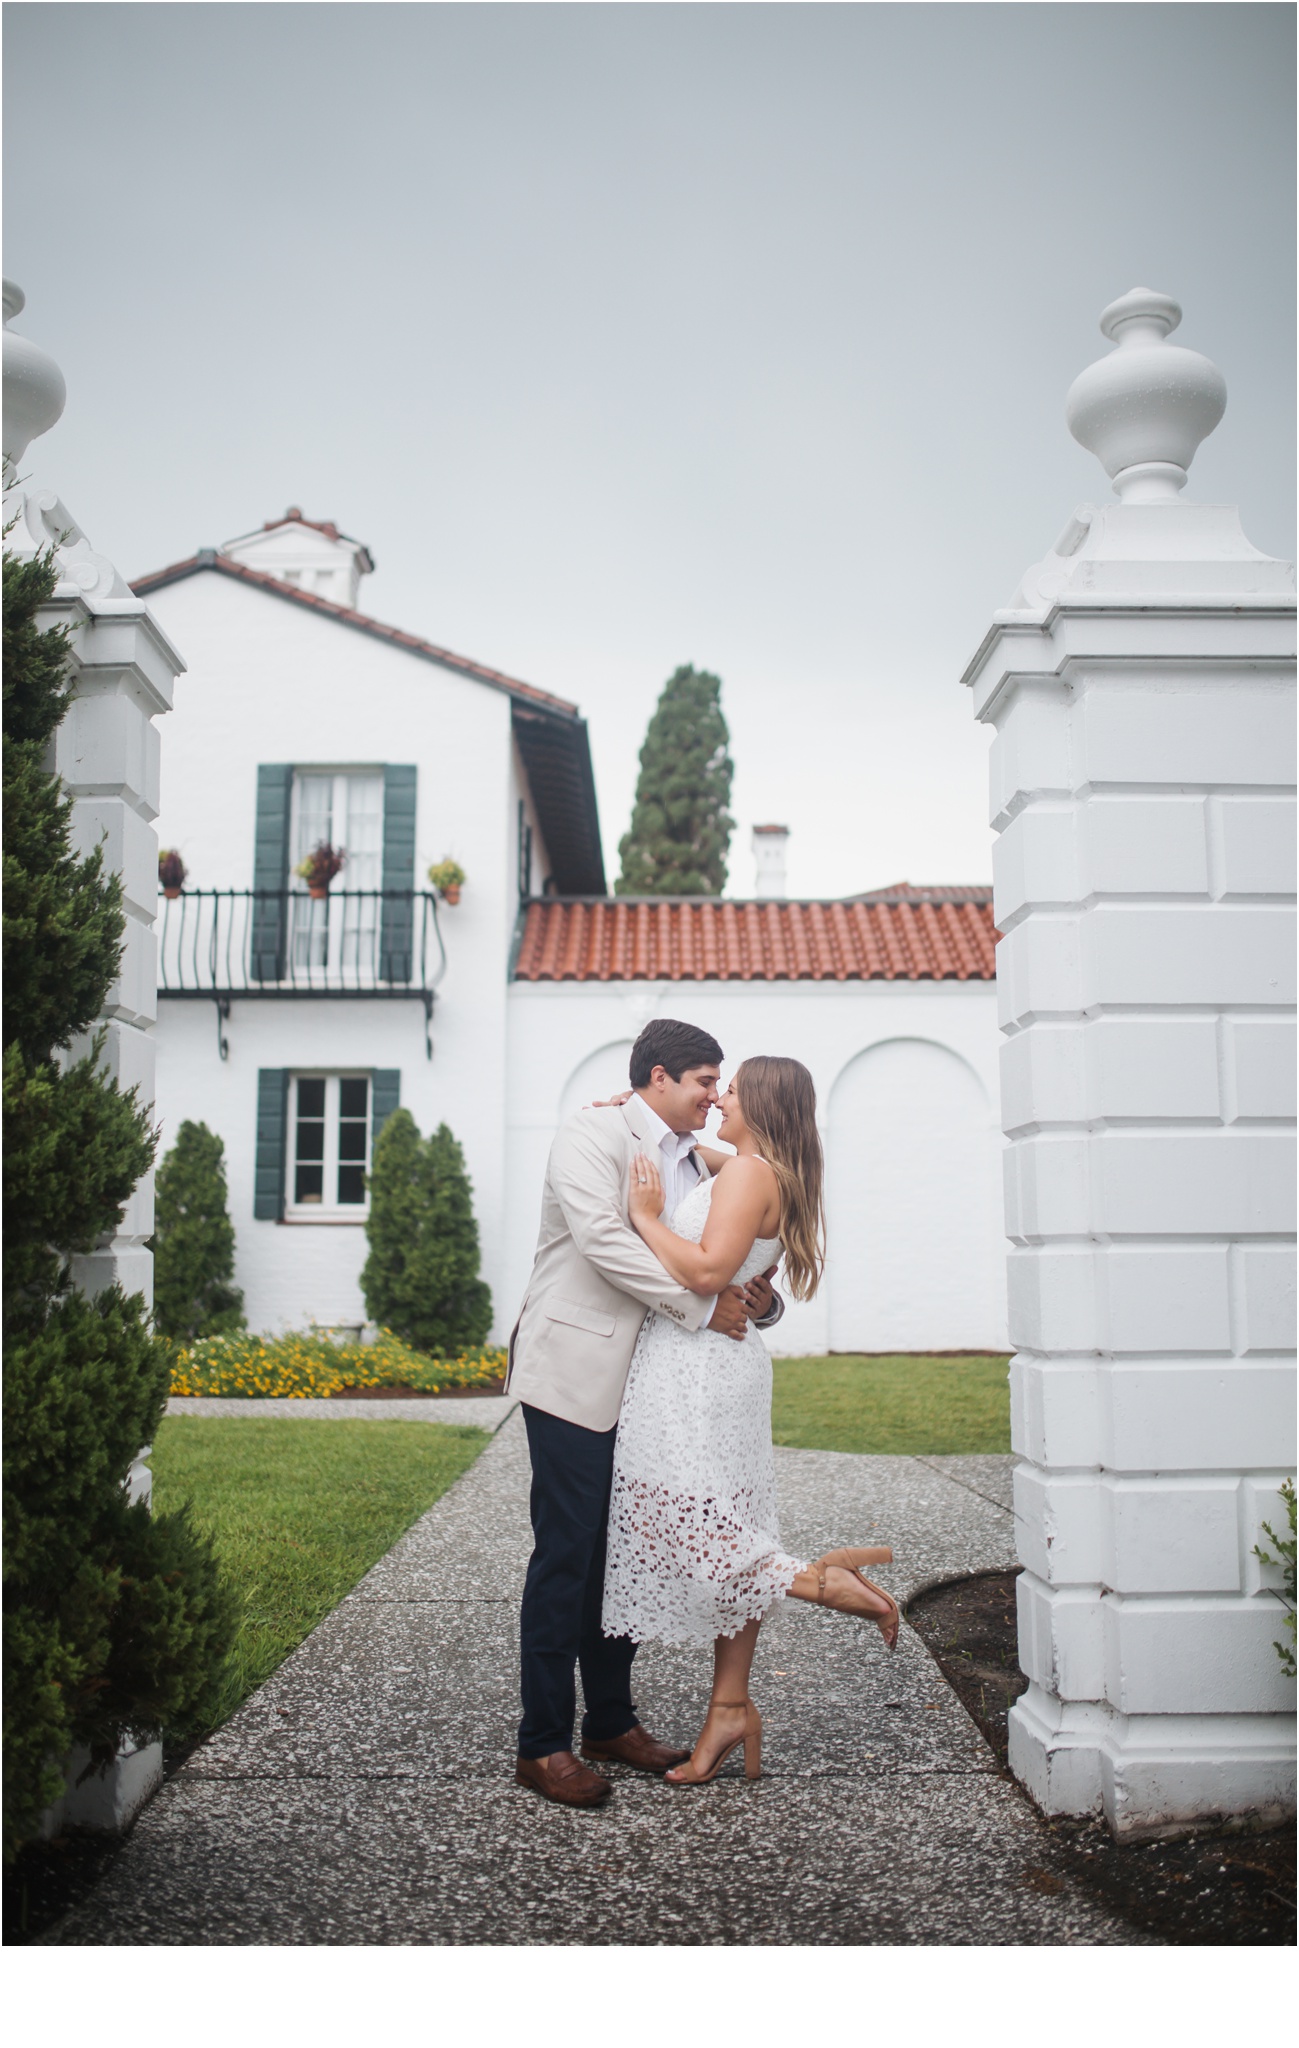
(194, 1242)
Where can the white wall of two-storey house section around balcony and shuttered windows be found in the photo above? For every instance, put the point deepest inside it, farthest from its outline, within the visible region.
(276, 683)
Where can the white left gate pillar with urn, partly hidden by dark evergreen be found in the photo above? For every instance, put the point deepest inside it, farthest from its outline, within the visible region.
(108, 757)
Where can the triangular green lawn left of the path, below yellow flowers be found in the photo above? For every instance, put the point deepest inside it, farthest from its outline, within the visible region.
(300, 1512)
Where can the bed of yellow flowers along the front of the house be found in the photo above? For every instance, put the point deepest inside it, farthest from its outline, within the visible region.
(308, 1367)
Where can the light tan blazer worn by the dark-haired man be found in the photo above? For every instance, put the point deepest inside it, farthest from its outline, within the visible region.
(593, 1277)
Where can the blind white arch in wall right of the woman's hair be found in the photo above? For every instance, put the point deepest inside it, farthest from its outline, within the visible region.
(913, 1201)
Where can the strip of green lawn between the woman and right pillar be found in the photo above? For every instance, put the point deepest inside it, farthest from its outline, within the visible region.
(892, 1404)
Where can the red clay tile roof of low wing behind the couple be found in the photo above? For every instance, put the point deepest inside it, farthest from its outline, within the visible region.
(667, 939)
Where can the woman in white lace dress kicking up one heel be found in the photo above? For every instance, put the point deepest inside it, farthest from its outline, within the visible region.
(694, 1539)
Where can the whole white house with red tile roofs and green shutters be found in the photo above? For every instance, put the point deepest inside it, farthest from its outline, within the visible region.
(294, 1027)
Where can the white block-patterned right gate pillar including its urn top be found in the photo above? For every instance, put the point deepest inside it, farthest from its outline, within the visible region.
(1142, 787)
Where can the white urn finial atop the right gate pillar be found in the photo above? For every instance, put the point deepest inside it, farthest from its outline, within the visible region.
(1146, 409)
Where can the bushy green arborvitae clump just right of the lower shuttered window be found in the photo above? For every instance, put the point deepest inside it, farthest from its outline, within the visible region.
(421, 1277)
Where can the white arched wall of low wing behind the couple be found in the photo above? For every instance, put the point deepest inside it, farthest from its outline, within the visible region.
(915, 1248)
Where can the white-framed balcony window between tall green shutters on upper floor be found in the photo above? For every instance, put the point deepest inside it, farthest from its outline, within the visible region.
(341, 808)
